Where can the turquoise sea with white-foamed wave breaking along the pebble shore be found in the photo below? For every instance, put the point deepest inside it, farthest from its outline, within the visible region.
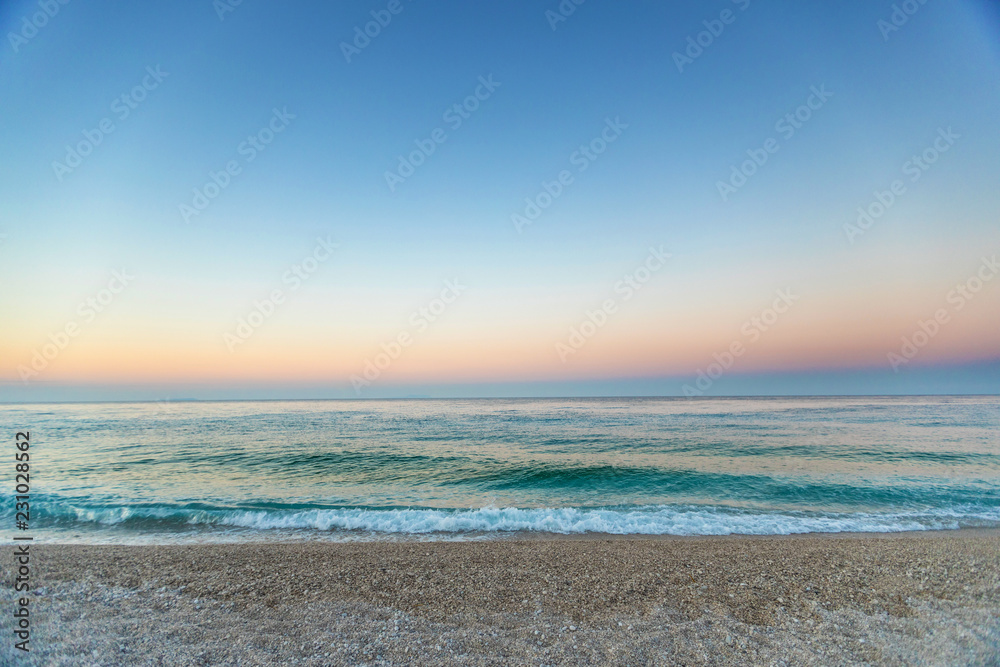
(476, 469)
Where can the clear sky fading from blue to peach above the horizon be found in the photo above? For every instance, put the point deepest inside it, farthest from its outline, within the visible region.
(258, 200)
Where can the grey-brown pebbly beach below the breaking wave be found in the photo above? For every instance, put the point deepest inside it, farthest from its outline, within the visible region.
(917, 598)
